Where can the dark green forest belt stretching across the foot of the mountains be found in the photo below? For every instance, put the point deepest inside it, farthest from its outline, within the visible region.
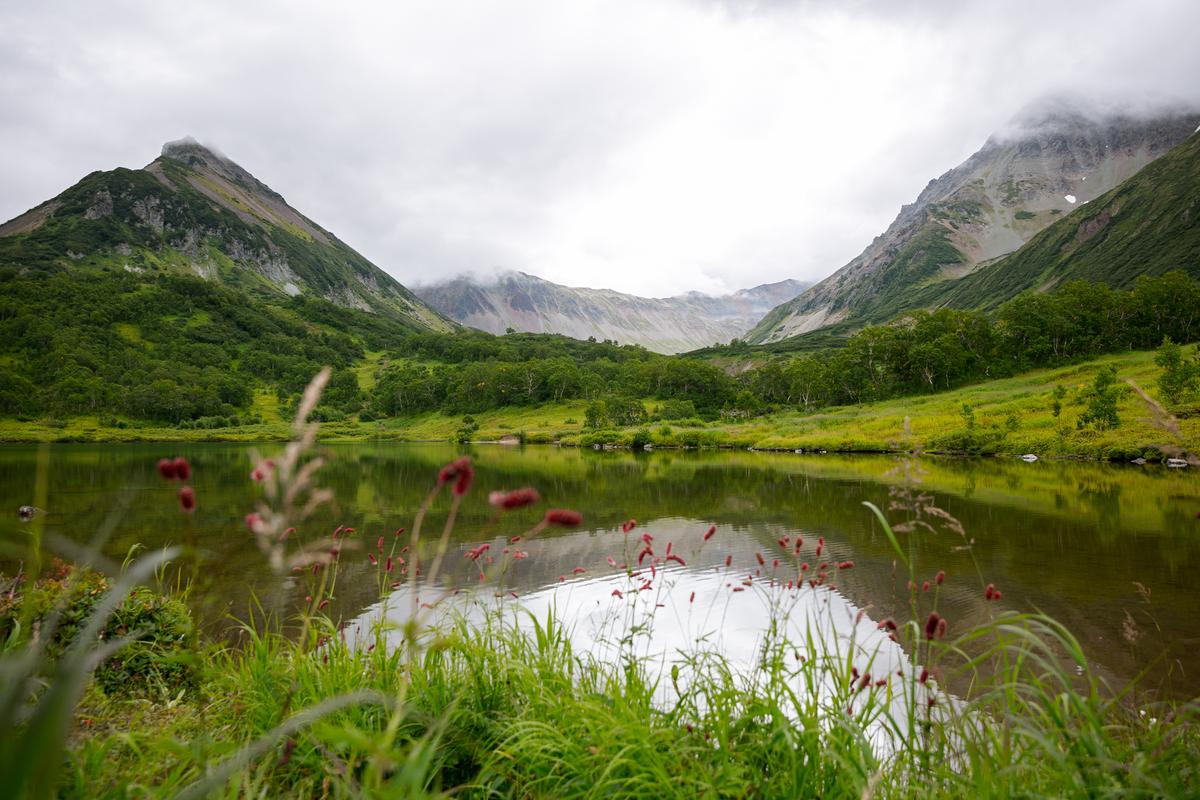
(181, 351)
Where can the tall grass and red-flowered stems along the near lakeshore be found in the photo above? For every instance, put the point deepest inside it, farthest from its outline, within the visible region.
(442, 691)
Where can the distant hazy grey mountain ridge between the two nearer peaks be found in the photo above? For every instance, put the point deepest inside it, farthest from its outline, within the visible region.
(530, 304)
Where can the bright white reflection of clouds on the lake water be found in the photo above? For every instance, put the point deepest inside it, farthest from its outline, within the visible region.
(687, 612)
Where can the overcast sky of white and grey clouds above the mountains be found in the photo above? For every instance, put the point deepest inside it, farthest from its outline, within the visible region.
(653, 147)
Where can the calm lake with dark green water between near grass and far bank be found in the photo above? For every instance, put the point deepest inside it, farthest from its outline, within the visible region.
(1111, 551)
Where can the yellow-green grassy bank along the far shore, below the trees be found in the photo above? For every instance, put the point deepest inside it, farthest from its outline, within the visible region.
(1012, 416)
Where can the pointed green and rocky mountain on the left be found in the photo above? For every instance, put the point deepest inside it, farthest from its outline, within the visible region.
(195, 212)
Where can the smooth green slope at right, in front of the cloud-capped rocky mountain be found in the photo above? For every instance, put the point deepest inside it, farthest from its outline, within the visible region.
(1148, 226)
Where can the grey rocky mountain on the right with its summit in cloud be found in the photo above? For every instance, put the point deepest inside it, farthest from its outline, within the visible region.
(1052, 160)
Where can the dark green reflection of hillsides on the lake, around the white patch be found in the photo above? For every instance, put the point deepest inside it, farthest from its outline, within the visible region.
(1067, 538)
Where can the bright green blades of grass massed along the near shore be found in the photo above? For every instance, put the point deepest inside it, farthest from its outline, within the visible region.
(496, 711)
